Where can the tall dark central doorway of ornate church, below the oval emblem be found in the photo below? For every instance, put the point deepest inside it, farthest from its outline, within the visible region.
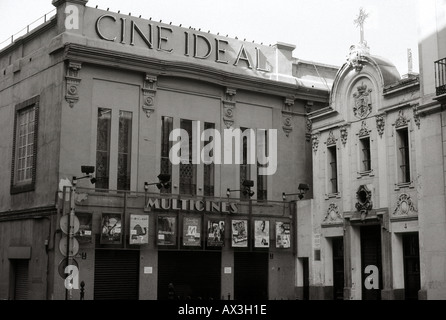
(371, 256)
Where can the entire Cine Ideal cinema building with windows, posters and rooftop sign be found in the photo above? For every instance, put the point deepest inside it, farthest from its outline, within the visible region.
(107, 93)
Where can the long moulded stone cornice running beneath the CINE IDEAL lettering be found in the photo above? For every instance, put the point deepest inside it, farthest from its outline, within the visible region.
(126, 61)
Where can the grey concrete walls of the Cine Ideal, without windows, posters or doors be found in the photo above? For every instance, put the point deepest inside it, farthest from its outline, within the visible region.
(152, 70)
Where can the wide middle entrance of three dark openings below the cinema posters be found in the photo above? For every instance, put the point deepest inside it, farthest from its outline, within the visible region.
(195, 275)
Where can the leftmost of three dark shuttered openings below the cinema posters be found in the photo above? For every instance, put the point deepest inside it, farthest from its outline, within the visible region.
(116, 275)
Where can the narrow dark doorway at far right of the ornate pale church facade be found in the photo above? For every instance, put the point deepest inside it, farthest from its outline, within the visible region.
(412, 281)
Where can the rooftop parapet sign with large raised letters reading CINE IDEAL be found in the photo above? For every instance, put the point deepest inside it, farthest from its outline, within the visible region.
(169, 42)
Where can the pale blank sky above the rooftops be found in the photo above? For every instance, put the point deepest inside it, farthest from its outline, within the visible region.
(321, 30)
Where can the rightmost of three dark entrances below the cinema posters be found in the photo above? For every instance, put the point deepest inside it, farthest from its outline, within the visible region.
(251, 275)
